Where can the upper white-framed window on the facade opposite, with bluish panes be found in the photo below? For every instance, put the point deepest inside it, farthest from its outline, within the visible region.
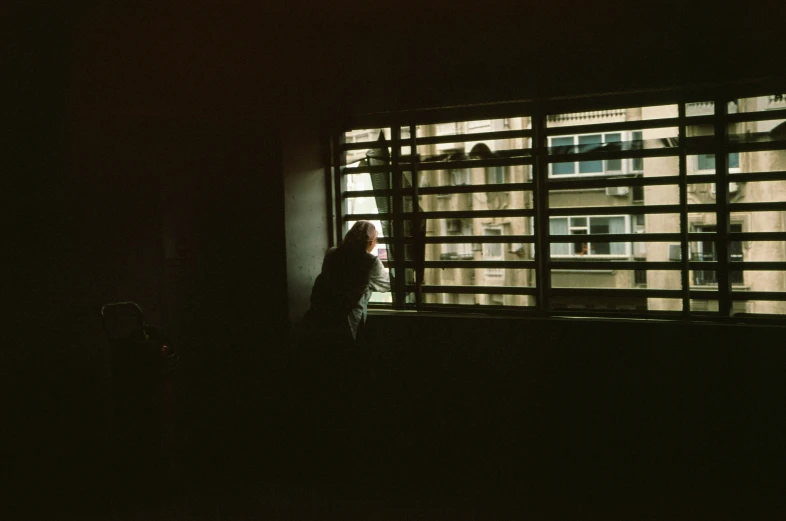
(583, 144)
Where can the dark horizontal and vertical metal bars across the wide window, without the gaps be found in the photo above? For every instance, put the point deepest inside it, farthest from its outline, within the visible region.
(542, 185)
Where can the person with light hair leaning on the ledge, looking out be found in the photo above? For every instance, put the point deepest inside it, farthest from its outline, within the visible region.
(339, 298)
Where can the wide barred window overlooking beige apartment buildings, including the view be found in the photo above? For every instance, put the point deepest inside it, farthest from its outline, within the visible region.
(576, 205)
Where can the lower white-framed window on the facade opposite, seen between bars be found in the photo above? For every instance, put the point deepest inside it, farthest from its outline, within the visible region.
(589, 225)
